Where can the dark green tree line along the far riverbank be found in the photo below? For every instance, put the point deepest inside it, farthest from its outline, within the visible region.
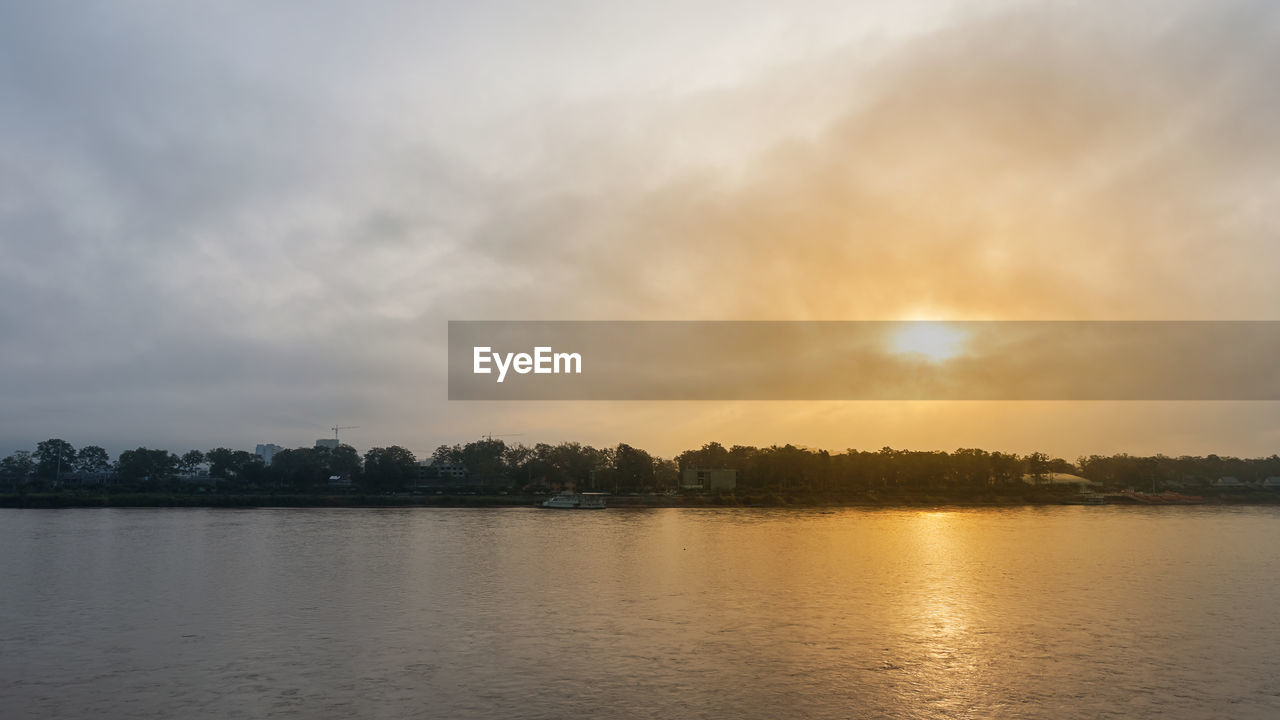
(493, 464)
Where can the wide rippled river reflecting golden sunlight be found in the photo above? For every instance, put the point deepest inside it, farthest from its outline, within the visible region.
(1048, 613)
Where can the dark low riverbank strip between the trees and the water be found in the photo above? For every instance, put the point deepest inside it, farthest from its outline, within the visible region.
(1011, 498)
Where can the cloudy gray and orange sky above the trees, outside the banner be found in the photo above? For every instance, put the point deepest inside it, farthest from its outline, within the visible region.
(236, 224)
